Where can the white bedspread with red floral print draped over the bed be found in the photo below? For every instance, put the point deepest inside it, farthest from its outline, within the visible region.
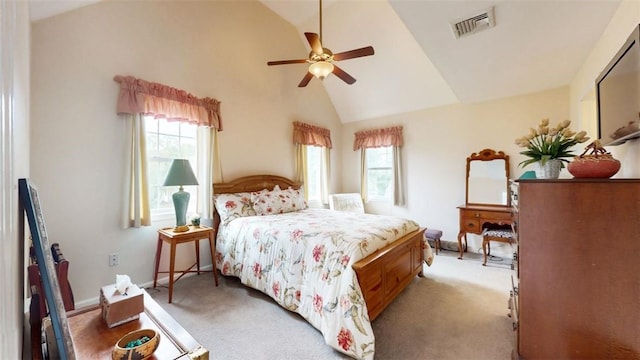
(303, 261)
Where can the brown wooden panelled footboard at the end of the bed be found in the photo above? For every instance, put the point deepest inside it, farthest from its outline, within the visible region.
(385, 273)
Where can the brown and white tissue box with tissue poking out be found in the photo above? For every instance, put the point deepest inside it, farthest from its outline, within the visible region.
(120, 308)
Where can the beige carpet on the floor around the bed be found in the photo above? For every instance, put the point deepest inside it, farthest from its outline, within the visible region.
(457, 311)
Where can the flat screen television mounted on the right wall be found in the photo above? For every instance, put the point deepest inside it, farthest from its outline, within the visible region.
(618, 94)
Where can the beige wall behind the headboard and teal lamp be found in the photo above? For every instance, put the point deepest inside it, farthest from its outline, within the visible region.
(215, 49)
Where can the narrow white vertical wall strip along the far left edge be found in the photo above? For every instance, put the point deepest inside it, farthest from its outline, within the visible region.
(14, 152)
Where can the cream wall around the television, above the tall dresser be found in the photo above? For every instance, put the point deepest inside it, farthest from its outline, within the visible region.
(622, 24)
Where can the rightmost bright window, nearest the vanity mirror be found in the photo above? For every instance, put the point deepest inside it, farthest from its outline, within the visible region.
(379, 173)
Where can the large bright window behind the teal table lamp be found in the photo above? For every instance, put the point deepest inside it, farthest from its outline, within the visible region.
(168, 140)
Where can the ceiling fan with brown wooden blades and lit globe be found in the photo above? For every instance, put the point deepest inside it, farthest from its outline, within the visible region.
(322, 60)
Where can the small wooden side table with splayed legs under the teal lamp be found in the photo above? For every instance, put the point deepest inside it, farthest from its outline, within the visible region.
(194, 234)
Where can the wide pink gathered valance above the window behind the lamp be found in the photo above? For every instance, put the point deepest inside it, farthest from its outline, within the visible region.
(162, 101)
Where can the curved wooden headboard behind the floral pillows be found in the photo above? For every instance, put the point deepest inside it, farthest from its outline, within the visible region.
(249, 184)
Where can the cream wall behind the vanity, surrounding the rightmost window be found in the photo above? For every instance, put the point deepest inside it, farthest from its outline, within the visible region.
(437, 144)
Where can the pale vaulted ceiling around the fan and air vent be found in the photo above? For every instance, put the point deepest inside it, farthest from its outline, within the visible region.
(418, 63)
